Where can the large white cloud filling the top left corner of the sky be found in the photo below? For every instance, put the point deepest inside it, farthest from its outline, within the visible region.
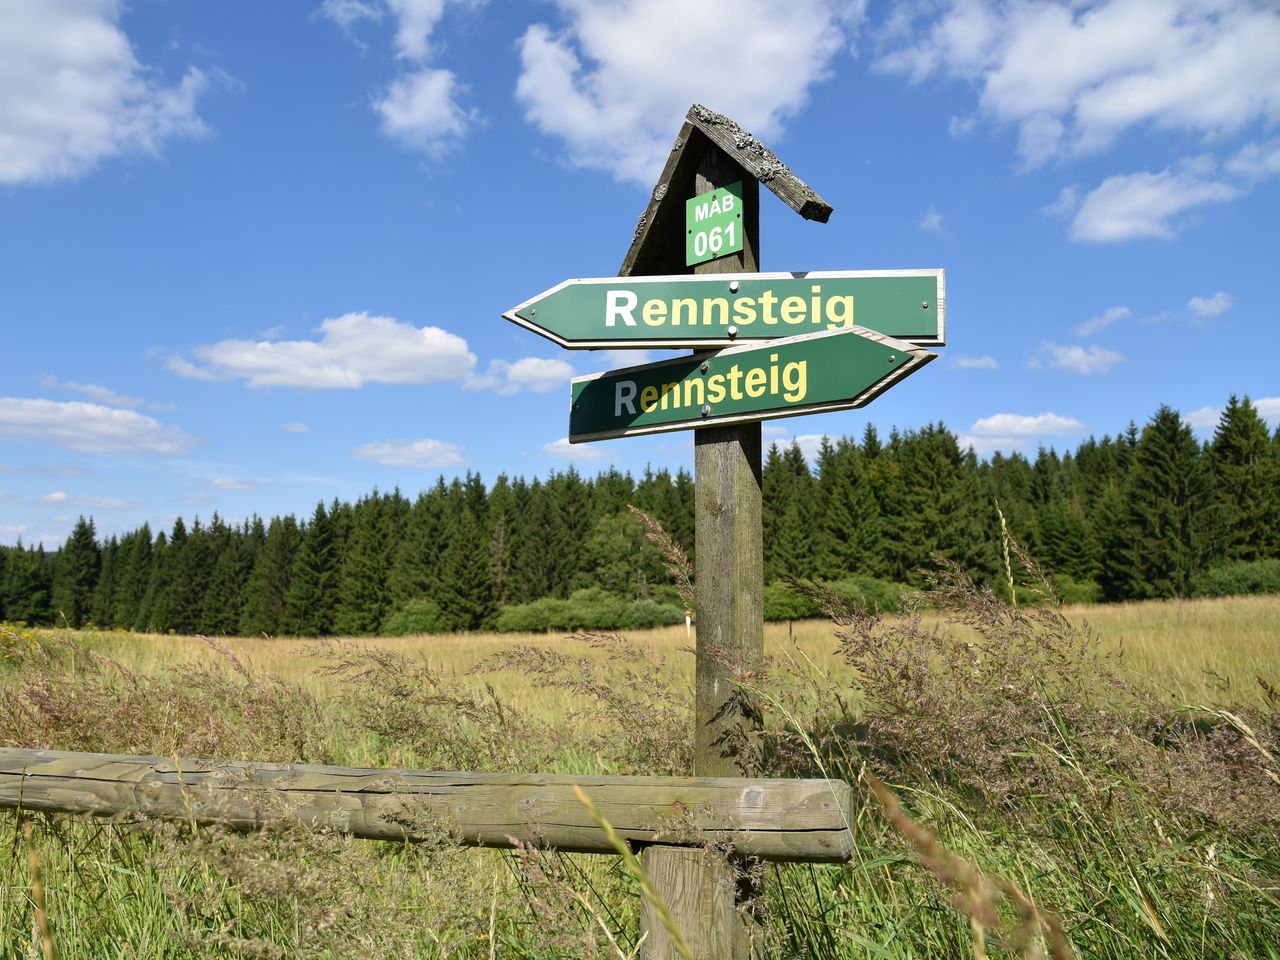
(72, 93)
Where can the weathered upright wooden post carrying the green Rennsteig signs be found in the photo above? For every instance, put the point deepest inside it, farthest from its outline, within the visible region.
(707, 895)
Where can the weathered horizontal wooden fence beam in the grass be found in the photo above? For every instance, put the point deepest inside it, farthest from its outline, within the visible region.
(772, 820)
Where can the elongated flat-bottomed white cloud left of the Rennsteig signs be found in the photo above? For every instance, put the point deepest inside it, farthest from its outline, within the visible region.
(353, 350)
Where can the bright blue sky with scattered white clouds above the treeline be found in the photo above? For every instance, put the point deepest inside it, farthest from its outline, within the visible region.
(254, 255)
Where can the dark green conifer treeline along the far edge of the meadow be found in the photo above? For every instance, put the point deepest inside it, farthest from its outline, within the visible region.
(1148, 514)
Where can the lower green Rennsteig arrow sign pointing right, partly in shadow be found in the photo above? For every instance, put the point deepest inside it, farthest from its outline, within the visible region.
(794, 376)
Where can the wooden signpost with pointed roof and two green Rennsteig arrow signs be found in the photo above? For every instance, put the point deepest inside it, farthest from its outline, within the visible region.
(784, 345)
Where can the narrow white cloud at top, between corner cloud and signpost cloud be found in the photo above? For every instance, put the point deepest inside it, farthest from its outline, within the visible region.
(422, 107)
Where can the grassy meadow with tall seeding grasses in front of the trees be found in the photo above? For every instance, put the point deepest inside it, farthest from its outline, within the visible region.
(1136, 797)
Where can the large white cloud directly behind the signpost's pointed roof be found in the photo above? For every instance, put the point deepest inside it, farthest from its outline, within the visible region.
(616, 81)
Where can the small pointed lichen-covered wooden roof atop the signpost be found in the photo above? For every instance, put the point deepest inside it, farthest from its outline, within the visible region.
(656, 249)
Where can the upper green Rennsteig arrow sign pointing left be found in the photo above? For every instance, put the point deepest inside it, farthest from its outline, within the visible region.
(723, 309)
